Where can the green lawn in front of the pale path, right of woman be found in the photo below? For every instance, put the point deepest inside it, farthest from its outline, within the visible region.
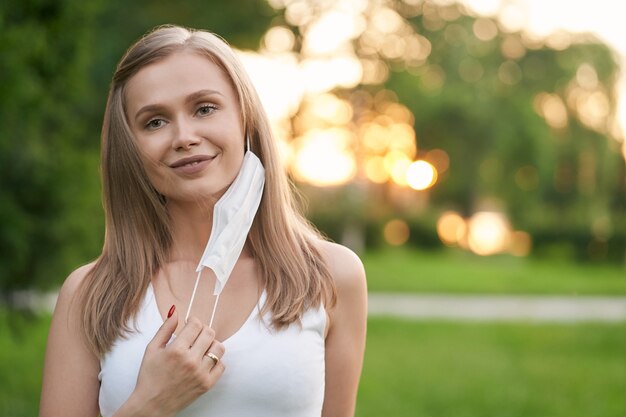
(430, 369)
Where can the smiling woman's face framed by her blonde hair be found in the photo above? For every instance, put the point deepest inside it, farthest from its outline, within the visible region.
(186, 120)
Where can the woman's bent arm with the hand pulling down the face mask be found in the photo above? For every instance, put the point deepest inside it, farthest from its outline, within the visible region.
(170, 378)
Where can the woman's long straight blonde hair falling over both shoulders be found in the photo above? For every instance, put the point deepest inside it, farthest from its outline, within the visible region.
(137, 234)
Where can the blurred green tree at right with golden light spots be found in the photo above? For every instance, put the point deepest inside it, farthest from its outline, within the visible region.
(526, 125)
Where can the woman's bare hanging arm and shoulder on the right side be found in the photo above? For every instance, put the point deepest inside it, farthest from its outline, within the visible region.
(345, 342)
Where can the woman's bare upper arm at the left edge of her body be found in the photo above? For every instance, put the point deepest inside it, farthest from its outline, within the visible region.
(70, 378)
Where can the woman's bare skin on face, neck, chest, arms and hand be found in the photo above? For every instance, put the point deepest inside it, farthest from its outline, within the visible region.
(174, 114)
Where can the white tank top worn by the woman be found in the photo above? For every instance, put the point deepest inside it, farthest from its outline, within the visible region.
(268, 373)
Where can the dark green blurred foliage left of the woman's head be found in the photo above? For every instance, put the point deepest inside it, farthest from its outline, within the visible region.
(46, 168)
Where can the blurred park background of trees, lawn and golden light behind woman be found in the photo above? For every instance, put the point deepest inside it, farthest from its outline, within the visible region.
(456, 152)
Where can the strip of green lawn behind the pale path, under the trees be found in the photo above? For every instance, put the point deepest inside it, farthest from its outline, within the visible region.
(406, 270)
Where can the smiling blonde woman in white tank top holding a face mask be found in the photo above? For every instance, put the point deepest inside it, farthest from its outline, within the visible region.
(140, 331)
